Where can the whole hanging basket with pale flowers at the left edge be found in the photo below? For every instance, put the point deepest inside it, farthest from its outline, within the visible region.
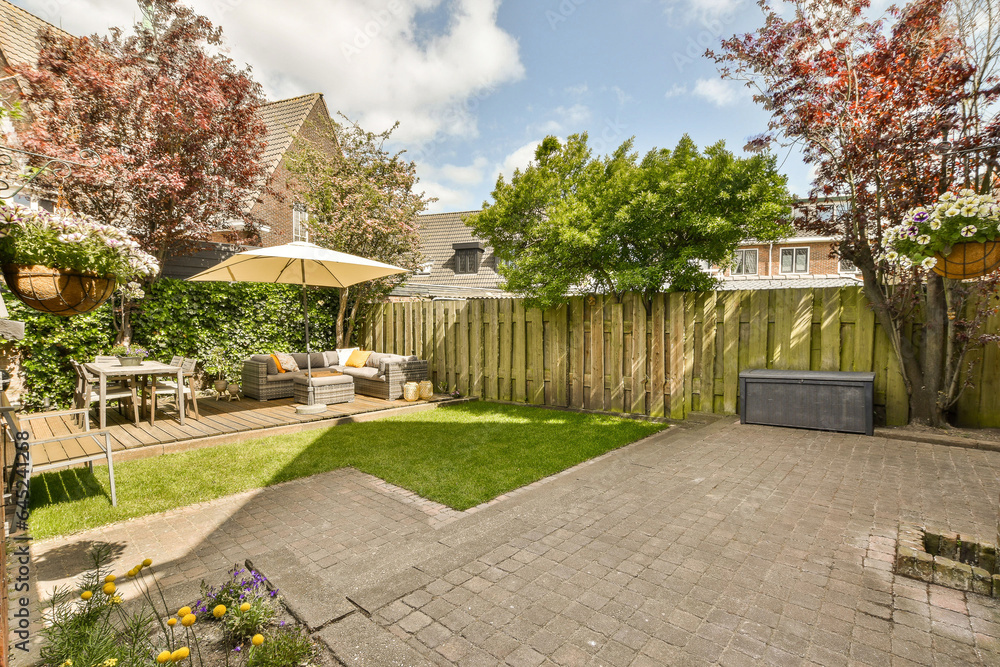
(66, 263)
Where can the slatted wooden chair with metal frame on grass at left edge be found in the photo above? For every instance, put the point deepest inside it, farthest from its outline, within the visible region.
(60, 451)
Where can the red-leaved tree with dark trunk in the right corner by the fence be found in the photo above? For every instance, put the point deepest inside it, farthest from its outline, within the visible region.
(870, 103)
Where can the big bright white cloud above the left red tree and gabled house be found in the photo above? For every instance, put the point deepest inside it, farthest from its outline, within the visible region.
(373, 59)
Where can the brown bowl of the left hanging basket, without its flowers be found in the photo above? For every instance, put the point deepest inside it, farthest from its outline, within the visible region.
(58, 291)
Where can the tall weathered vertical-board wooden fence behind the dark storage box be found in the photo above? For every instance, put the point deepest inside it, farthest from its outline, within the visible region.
(683, 354)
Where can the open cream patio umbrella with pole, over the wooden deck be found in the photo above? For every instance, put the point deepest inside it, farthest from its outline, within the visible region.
(299, 263)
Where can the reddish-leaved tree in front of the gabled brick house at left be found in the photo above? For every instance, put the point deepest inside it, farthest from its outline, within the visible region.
(173, 120)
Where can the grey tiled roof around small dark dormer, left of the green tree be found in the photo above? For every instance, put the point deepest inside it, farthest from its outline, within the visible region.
(439, 233)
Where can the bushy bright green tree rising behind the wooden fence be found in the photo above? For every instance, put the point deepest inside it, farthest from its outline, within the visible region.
(573, 222)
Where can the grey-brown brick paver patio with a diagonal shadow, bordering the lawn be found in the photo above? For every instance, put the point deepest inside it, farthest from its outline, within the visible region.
(728, 544)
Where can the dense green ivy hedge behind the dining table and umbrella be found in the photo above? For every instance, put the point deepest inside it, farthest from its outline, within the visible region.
(176, 317)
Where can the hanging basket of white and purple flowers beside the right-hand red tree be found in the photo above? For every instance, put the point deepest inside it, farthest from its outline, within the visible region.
(956, 238)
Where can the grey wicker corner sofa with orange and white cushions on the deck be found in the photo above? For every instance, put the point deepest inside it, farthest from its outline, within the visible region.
(382, 376)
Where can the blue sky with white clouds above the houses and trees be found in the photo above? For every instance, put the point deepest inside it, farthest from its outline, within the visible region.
(476, 84)
